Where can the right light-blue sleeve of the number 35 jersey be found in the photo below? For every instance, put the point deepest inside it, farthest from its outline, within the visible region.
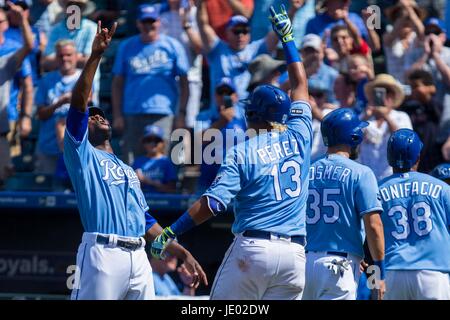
(366, 194)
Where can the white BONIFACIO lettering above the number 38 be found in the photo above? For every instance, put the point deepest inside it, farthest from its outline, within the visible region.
(405, 190)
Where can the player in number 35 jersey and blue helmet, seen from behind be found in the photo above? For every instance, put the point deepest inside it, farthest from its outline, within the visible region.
(342, 195)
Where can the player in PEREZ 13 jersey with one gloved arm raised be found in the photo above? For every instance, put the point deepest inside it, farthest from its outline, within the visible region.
(267, 177)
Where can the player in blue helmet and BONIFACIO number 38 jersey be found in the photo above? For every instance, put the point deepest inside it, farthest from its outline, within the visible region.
(416, 222)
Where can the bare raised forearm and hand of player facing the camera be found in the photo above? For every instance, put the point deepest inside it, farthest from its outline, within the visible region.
(83, 87)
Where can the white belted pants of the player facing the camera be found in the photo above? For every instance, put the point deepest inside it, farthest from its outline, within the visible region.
(109, 272)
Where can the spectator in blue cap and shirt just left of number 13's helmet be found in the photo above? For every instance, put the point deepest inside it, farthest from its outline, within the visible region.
(231, 127)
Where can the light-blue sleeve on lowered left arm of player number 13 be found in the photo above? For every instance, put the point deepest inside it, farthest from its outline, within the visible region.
(228, 180)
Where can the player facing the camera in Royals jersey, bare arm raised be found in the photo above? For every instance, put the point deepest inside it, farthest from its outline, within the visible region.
(111, 260)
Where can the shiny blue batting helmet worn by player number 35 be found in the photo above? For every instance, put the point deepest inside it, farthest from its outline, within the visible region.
(342, 126)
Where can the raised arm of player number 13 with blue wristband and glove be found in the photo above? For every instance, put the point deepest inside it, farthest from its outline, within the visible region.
(297, 76)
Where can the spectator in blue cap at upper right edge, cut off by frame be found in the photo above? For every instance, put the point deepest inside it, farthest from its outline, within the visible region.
(434, 57)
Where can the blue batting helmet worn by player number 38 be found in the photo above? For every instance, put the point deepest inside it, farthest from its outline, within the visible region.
(404, 147)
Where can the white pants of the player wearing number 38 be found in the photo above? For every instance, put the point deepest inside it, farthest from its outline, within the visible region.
(417, 285)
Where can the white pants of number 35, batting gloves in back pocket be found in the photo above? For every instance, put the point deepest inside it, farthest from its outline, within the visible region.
(331, 277)
